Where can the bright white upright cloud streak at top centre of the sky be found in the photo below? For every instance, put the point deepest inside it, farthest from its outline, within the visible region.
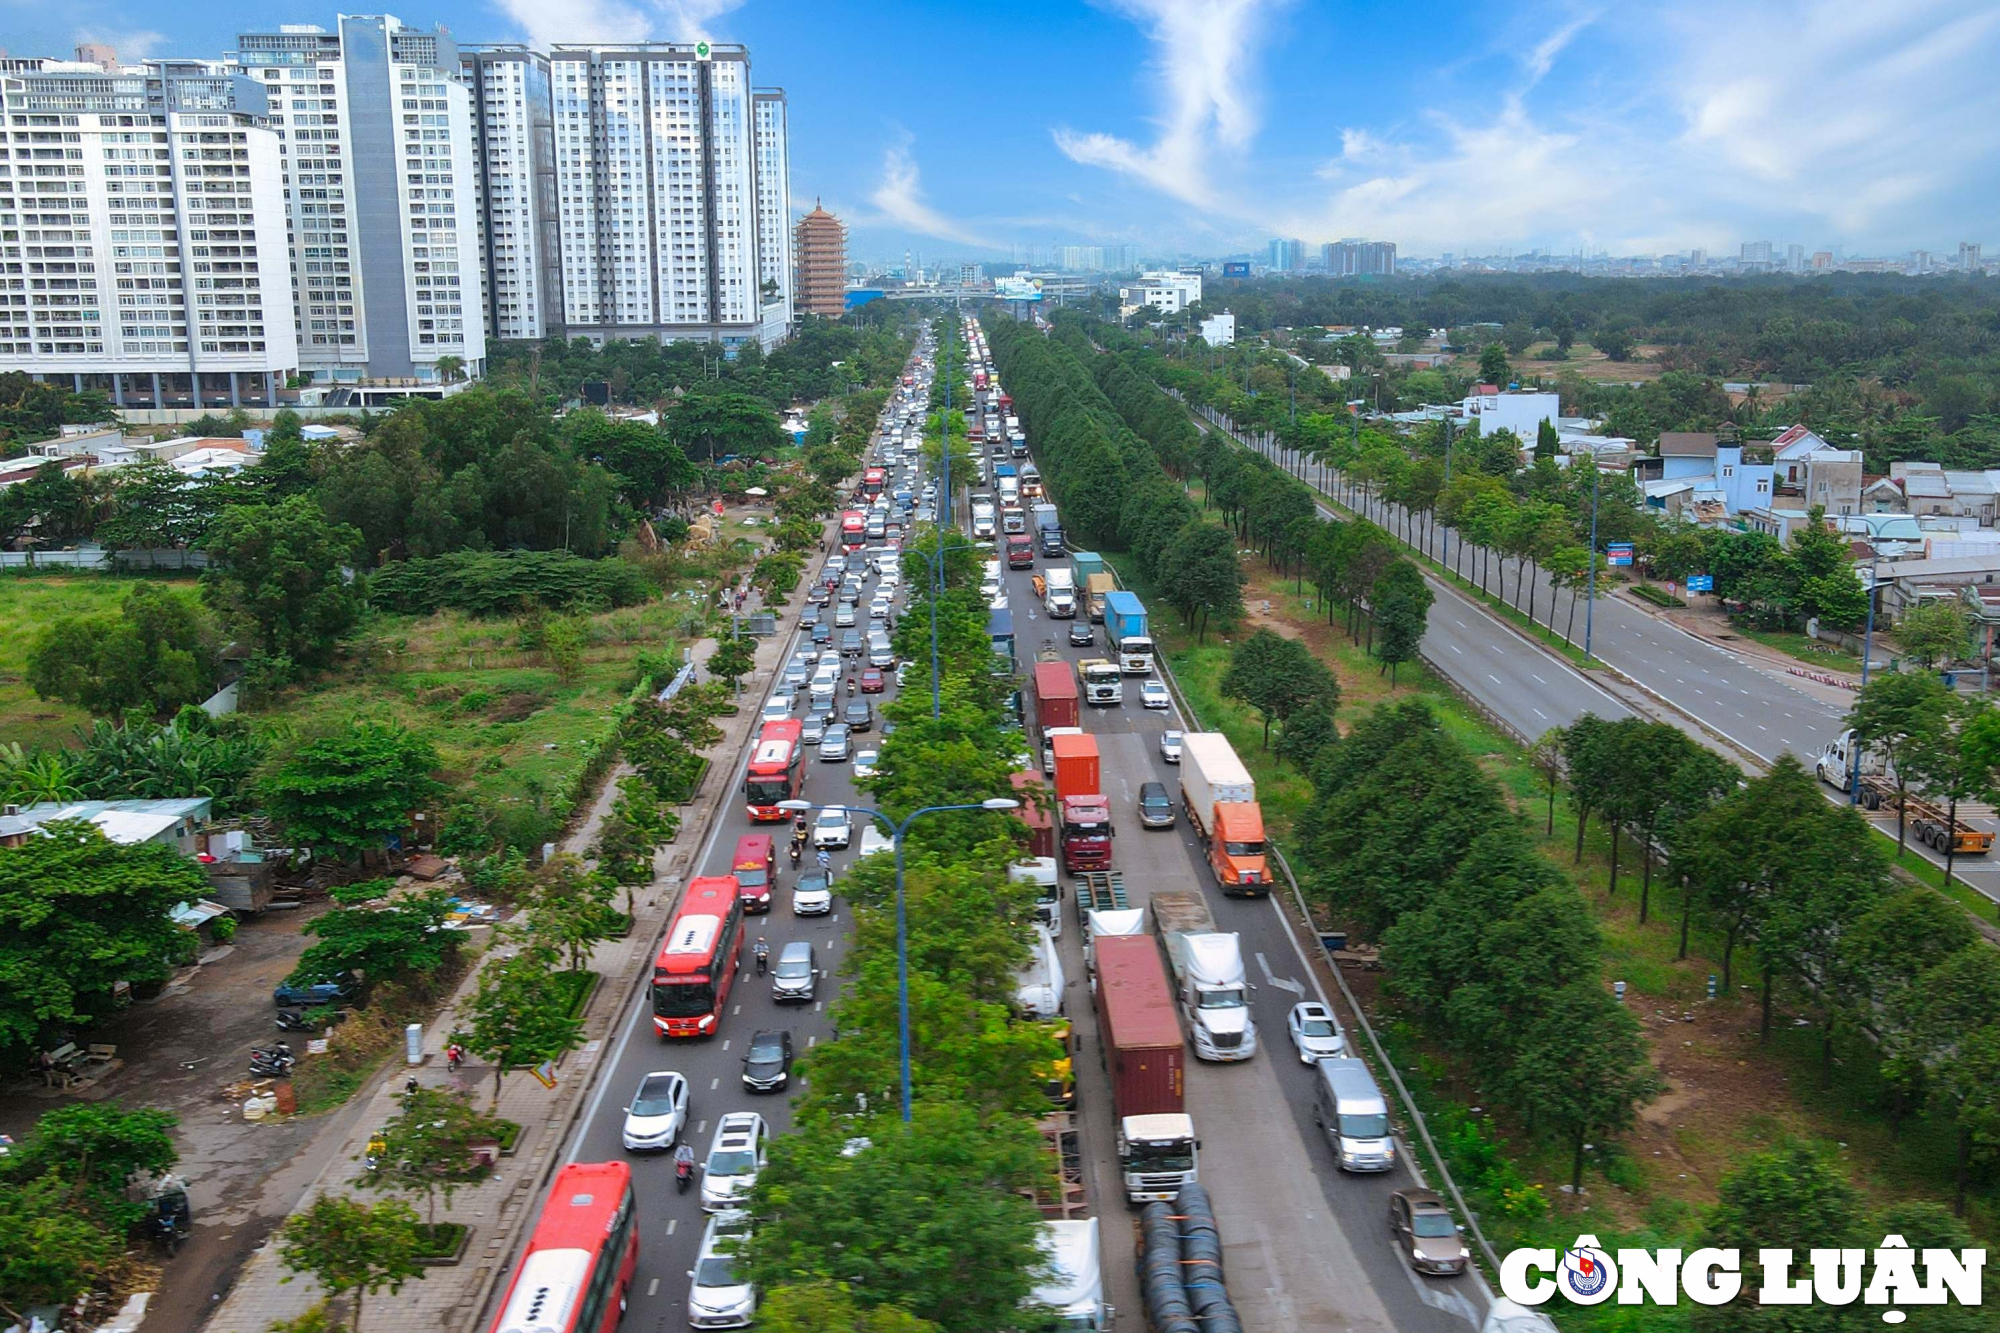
(1205, 57)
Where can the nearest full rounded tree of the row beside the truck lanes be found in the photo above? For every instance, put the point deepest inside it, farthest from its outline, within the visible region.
(1583, 1090)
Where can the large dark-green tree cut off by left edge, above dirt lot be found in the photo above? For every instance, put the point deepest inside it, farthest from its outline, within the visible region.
(81, 914)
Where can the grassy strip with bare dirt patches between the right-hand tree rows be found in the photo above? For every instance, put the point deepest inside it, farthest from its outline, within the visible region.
(1729, 1096)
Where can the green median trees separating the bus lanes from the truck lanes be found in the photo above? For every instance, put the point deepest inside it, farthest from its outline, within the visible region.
(933, 1220)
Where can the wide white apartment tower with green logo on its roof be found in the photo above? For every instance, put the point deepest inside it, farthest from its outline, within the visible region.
(657, 189)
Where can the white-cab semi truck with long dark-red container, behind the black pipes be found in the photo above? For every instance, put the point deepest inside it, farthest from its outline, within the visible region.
(1143, 1054)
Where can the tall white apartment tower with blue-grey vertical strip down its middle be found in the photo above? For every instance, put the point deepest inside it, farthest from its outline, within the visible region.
(377, 131)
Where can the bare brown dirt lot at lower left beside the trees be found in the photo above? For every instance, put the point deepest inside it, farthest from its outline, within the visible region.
(177, 1054)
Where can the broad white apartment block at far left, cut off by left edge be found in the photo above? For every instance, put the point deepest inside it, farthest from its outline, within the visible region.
(143, 233)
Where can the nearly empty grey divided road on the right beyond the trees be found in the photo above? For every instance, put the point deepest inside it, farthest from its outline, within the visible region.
(1703, 688)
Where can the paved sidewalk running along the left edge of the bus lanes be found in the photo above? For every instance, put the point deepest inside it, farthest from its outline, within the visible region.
(457, 1296)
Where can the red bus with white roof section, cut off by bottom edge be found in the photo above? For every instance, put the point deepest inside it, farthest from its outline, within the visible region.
(581, 1258)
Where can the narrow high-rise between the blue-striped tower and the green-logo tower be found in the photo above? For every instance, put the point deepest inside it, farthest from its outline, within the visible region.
(515, 179)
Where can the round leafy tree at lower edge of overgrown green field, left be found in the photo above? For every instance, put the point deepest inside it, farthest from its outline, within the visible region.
(349, 792)
